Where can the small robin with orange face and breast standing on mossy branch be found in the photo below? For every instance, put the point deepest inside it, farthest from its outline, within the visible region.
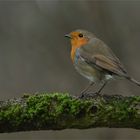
(94, 60)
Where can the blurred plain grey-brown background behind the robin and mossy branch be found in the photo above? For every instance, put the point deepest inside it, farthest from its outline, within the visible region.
(35, 56)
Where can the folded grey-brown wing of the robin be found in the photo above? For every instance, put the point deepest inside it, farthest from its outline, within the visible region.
(102, 62)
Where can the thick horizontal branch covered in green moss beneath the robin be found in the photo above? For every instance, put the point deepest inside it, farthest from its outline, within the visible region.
(62, 111)
